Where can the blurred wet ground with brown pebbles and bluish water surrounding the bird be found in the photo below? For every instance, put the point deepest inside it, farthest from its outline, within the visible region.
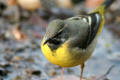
(22, 27)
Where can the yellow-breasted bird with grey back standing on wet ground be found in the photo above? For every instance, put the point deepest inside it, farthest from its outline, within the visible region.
(71, 42)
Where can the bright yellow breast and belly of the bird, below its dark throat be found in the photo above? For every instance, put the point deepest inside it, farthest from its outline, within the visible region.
(66, 57)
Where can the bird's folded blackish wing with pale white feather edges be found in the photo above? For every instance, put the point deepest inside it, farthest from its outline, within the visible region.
(87, 35)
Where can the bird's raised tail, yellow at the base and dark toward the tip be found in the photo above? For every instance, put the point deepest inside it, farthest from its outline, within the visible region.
(101, 9)
